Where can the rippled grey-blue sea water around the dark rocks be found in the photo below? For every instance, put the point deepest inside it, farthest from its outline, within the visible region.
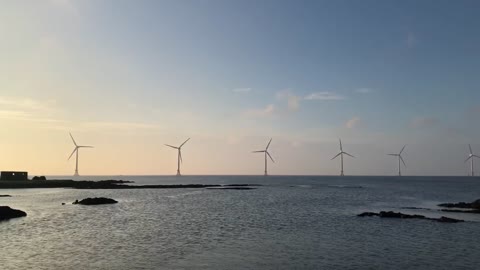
(289, 223)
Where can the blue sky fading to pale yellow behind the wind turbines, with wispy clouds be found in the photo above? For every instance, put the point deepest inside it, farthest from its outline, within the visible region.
(130, 76)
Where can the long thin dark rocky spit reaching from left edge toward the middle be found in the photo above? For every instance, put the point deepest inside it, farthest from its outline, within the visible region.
(104, 184)
